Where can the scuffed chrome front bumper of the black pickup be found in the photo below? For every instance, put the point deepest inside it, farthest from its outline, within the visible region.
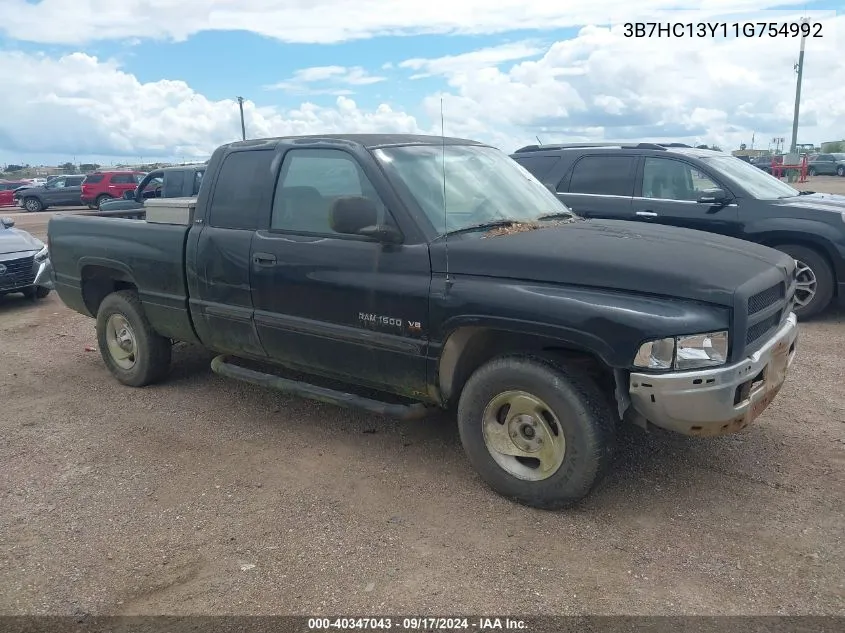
(717, 401)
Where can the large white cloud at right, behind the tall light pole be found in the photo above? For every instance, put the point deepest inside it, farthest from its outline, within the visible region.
(602, 85)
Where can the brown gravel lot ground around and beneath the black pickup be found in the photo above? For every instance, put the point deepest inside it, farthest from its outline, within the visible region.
(204, 495)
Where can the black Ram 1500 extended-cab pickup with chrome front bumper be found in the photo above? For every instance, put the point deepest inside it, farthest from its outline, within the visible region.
(425, 273)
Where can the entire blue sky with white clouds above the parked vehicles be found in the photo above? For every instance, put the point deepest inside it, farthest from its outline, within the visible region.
(111, 81)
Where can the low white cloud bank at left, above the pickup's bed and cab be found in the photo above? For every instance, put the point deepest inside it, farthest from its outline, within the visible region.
(79, 105)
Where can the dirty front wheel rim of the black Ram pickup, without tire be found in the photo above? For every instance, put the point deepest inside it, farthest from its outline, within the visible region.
(523, 435)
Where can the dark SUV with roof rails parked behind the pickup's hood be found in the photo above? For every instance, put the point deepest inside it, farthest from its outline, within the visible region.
(706, 190)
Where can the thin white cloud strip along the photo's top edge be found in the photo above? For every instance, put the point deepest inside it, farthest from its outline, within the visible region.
(324, 21)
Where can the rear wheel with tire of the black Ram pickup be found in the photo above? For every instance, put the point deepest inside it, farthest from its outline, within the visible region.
(150, 360)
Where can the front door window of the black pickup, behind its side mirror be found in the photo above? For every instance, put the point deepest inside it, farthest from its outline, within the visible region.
(310, 182)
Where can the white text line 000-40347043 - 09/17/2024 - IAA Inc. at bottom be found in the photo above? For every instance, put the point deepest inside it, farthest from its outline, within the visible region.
(418, 624)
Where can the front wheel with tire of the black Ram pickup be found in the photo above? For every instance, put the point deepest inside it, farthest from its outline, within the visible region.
(581, 416)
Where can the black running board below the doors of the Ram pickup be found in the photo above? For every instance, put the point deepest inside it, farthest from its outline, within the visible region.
(323, 394)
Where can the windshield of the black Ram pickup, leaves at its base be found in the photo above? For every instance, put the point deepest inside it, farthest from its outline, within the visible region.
(482, 185)
